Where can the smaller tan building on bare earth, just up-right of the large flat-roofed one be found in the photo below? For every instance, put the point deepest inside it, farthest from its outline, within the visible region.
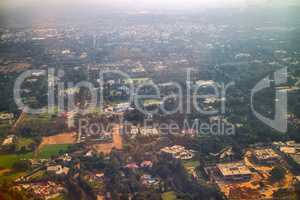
(265, 156)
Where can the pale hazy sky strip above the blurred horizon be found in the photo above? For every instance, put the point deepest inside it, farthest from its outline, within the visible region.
(144, 4)
